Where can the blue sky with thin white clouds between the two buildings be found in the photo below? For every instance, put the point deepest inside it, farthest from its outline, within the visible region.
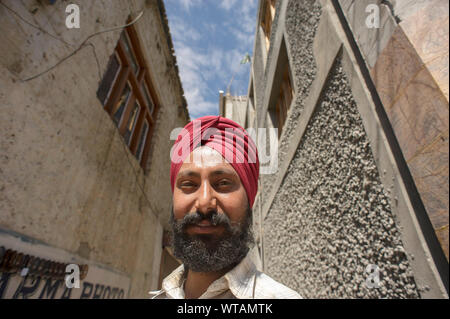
(211, 37)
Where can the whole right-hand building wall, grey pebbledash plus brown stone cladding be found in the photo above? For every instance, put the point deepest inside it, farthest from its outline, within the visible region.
(362, 179)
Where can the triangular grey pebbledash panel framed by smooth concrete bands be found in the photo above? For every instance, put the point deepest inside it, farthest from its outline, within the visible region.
(331, 216)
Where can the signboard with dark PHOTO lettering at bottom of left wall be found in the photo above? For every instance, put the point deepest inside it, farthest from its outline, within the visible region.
(32, 269)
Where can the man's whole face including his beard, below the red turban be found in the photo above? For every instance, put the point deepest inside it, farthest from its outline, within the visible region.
(211, 219)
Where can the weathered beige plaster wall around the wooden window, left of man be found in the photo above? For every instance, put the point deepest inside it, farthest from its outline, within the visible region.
(70, 189)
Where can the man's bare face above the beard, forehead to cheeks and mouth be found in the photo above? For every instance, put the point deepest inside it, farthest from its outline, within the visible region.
(205, 183)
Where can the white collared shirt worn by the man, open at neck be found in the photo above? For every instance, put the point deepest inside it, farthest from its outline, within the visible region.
(242, 282)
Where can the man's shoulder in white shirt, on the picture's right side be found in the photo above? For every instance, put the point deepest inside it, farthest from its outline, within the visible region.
(268, 288)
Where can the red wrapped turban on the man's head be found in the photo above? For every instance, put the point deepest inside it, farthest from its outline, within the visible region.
(226, 137)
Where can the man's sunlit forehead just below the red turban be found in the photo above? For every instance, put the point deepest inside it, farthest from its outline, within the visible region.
(205, 158)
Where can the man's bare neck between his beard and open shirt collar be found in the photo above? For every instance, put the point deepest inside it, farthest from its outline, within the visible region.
(198, 282)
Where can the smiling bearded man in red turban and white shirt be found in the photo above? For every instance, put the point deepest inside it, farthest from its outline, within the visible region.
(214, 178)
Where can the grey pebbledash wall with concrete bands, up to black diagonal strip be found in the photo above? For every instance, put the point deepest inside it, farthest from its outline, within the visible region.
(332, 214)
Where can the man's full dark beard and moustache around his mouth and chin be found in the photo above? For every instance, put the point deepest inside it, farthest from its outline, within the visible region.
(211, 252)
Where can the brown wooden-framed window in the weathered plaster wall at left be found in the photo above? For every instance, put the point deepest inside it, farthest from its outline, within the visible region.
(127, 94)
